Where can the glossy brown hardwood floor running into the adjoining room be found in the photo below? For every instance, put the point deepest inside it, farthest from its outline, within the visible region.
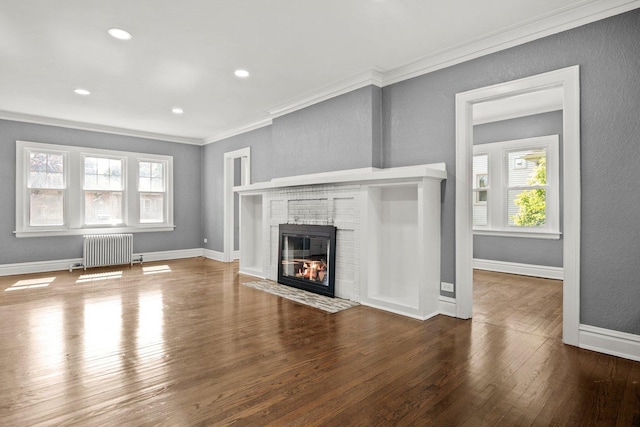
(187, 344)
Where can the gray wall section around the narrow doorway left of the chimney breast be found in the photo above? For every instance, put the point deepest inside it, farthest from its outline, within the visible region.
(213, 178)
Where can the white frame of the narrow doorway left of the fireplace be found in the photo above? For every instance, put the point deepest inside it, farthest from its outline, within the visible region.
(229, 158)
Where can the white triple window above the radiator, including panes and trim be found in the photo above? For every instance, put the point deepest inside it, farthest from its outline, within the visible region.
(62, 190)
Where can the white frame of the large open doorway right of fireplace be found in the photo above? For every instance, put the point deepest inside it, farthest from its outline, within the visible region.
(569, 80)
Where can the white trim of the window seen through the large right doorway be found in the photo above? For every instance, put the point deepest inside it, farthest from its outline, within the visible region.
(497, 220)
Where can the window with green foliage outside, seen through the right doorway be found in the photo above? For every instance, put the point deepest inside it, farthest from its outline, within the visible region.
(516, 188)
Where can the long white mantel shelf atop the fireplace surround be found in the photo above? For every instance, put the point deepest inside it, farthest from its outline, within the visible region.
(354, 176)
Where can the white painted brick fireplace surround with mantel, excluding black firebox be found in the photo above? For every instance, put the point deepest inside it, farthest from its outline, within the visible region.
(388, 231)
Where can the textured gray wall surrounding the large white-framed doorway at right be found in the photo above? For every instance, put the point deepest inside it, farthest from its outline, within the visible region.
(419, 127)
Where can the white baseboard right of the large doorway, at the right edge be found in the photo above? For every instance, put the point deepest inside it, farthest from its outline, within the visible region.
(611, 342)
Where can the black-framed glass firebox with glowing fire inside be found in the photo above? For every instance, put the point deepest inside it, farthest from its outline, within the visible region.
(306, 257)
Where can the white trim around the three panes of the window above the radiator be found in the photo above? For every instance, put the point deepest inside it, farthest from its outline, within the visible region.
(74, 192)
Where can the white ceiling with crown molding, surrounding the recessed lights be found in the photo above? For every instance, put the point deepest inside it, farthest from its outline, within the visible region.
(183, 53)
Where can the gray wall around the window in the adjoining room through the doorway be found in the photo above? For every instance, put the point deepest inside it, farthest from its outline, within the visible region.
(513, 249)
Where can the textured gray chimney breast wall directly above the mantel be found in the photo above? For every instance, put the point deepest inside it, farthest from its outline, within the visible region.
(337, 134)
